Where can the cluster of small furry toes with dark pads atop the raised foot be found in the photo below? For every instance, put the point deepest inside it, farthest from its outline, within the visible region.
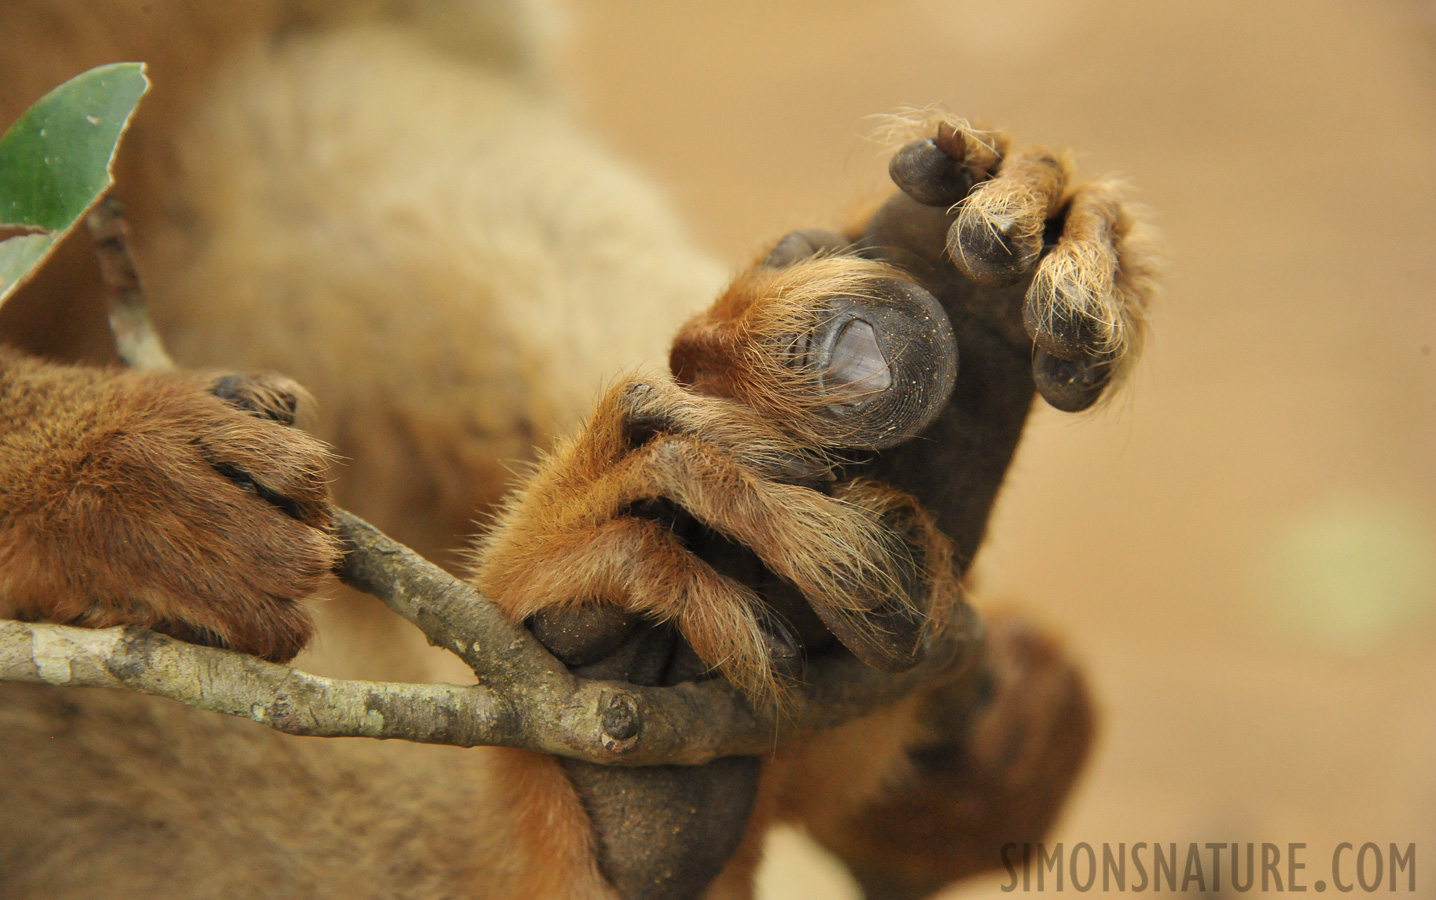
(1019, 217)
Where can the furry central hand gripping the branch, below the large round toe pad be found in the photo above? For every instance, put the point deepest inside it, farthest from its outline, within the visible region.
(680, 510)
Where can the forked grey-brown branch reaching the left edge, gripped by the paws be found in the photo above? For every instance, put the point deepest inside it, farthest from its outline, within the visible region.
(523, 700)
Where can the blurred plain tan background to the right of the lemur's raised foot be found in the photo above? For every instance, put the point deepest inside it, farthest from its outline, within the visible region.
(1244, 548)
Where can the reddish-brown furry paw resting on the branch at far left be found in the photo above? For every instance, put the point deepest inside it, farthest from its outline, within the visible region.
(176, 503)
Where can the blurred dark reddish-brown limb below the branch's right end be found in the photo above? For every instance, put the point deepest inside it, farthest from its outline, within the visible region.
(974, 779)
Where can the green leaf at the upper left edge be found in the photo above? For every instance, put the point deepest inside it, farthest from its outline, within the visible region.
(55, 163)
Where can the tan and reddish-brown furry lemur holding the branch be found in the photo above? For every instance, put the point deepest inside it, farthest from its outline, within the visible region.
(393, 209)
